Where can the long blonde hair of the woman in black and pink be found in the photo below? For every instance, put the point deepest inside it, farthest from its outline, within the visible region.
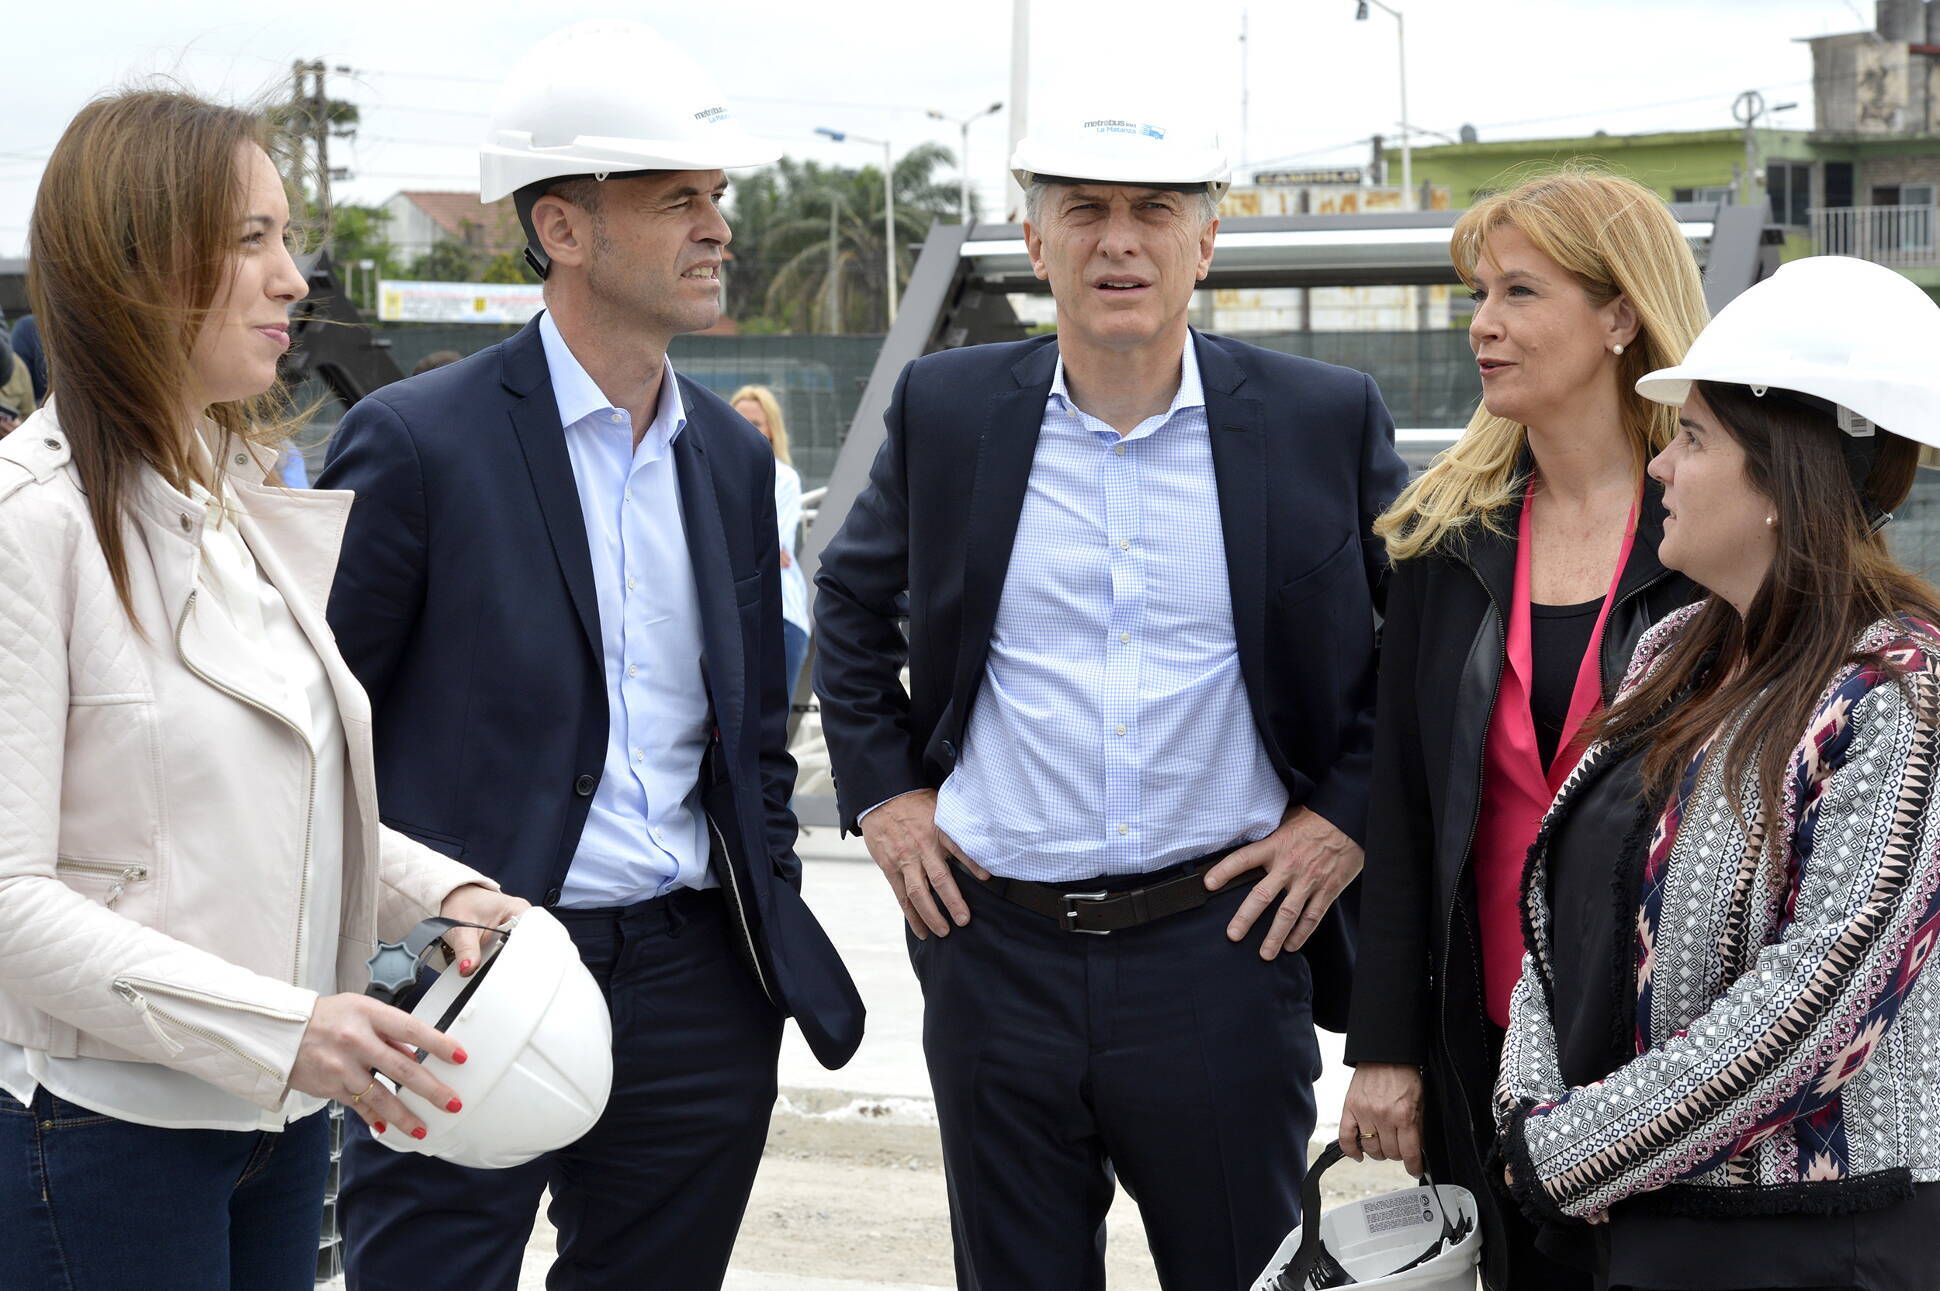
(1617, 240)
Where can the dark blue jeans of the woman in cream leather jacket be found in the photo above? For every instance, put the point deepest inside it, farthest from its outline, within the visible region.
(98, 1205)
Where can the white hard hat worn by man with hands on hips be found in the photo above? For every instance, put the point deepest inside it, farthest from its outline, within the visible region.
(1124, 150)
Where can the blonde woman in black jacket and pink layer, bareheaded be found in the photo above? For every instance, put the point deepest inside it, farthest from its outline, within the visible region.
(1526, 570)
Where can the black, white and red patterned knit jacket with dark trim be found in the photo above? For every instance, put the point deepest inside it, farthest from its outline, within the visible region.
(1788, 1043)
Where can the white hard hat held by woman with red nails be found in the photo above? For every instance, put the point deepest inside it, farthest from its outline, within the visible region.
(538, 1051)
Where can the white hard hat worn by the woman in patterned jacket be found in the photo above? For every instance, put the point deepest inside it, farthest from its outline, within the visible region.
(1834, 327)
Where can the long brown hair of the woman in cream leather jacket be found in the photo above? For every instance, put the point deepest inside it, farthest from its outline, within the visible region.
(131, 242)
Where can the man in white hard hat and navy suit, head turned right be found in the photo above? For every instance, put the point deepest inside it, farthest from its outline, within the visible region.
(562, 589)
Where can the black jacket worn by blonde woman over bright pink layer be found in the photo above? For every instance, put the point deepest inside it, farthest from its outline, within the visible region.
(1419, 983)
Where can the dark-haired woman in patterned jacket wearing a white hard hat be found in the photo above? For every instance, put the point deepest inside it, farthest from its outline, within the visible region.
(1724, 1053)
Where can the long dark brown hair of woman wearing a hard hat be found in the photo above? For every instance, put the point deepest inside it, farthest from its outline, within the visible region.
(1830, 581)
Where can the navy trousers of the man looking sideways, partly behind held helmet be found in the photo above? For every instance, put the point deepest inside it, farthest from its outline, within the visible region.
(653, 1197)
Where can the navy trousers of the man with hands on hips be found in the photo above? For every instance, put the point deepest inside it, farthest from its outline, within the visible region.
(1165, 1057)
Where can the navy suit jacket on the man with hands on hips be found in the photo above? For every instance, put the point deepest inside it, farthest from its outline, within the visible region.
(1305, 463)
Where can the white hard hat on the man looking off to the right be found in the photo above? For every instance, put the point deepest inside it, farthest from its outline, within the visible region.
(606, 98)
